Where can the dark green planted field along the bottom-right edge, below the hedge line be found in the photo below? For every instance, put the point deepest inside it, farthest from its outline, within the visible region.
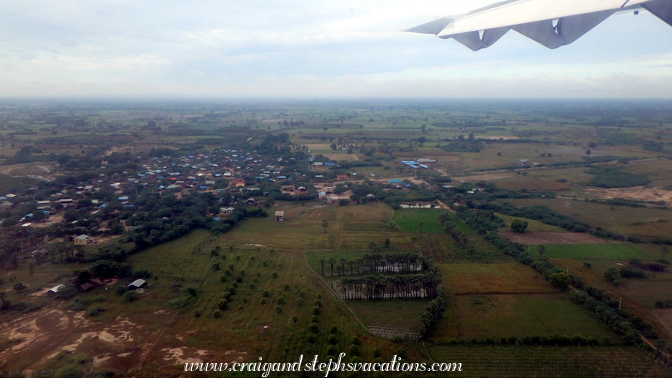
(550, 362)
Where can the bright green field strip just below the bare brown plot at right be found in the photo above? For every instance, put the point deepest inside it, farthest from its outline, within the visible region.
(609, 251)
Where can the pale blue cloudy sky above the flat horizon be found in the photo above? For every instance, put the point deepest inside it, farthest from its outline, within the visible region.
(295, 49)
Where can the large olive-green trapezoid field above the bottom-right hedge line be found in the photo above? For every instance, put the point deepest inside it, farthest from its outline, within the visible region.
(479, 316)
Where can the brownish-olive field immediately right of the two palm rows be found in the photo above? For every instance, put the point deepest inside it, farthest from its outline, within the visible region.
(510, 277)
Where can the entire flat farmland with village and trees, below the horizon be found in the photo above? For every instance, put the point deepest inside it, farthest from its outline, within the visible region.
(255, 226)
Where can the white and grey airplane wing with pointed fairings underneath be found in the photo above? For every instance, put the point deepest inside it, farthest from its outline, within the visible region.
(552, 23)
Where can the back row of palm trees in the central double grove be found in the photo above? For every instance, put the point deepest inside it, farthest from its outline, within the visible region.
(401, 263)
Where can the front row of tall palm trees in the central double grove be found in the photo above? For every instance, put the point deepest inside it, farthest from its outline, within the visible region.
(390, 287)
